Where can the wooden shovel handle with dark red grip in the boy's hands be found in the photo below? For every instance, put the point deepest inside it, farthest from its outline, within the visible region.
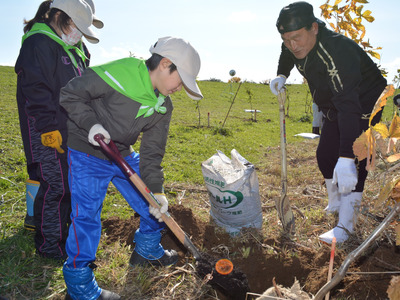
(113, 153)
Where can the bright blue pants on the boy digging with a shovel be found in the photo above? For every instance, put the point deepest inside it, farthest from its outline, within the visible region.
(89, 178)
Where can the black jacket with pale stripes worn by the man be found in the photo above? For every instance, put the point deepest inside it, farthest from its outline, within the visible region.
(344, 81)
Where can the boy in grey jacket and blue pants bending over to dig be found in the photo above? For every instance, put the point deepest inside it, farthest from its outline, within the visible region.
(121, 100)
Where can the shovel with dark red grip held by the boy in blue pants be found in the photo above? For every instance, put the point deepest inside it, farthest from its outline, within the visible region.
(234, 282)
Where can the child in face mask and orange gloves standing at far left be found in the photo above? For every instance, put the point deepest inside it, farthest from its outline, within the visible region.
(52, 53)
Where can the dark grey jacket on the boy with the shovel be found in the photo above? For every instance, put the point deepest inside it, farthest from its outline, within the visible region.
(89, 100)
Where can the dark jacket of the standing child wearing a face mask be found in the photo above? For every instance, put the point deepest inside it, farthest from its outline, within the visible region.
(43, 68)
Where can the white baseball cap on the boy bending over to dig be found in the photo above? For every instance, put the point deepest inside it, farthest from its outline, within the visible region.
(185, 58)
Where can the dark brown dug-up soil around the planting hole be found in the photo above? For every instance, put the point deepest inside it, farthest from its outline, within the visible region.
(262, 259)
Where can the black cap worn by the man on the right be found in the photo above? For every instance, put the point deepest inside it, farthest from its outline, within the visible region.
(295, 16)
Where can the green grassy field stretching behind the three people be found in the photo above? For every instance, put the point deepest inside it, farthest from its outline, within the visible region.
(196, 133)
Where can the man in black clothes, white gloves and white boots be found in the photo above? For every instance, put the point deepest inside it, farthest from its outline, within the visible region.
(345, 84)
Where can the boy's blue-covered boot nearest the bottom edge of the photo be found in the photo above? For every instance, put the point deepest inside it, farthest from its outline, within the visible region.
(82, 285)
